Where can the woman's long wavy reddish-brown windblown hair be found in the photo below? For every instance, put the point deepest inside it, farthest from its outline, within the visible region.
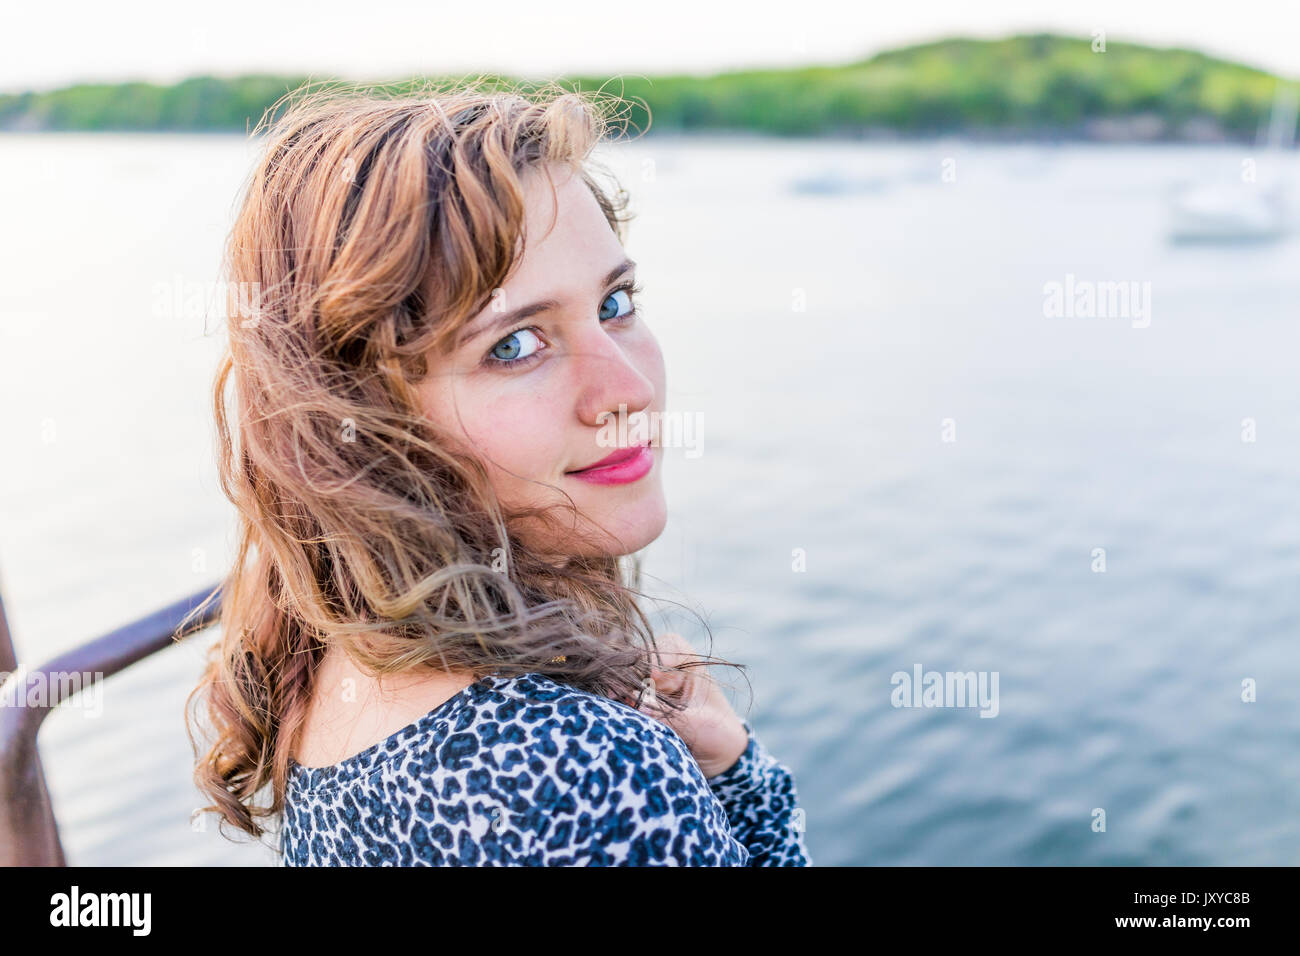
(372, 230)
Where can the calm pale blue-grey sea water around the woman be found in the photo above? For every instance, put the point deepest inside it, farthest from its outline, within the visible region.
(885, 403)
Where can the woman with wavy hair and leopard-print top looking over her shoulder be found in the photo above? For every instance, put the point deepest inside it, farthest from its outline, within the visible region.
(432, 654)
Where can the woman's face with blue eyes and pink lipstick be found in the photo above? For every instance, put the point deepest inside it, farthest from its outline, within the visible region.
(538, 396)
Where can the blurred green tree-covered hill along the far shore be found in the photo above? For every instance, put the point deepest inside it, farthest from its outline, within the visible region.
(1019, 86)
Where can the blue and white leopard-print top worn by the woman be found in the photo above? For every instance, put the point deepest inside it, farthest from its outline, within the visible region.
(528, 772)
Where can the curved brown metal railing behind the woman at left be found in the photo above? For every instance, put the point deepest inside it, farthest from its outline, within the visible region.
(29, 833)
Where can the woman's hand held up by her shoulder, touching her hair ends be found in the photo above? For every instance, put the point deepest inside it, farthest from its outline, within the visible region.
(709, 725)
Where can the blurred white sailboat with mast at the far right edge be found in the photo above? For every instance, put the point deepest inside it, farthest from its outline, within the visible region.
(1247, 211)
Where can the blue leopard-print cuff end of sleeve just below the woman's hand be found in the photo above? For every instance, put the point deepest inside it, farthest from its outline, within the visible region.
(761, 802)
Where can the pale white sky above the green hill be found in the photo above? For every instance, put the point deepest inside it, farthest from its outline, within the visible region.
(46, 46)
